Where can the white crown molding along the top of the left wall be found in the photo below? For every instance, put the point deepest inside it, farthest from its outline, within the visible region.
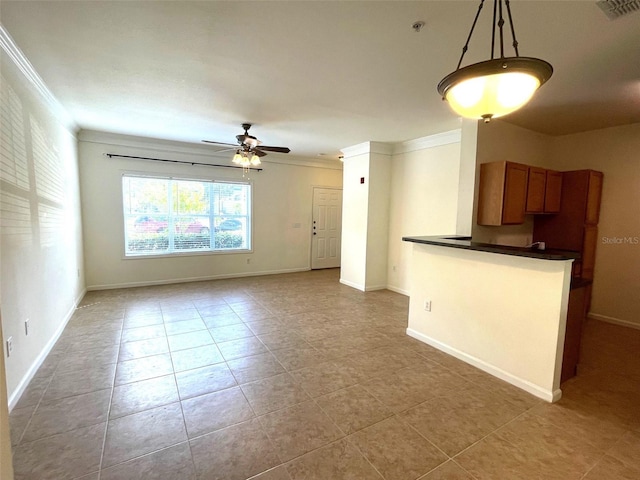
(24, 65)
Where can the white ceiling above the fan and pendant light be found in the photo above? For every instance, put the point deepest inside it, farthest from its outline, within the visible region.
(316, 76)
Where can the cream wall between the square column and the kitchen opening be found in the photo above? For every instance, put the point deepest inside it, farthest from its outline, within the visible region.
(425, 178)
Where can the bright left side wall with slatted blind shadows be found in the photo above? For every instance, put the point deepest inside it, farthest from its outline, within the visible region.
(41, 242)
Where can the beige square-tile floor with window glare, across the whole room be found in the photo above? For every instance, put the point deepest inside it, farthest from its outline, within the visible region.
(295, 376)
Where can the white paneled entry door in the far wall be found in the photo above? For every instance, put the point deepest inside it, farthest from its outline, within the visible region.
(326, 228)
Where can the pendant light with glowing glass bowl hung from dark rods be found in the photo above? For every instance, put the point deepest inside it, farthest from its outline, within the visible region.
(498, 86)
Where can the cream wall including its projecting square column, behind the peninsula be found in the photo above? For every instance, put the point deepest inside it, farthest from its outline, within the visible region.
(414, 191)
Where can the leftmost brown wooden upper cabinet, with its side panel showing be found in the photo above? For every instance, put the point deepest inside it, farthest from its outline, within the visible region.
(502, 193)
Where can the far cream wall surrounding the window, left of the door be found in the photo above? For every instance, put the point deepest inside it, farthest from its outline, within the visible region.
(282, 197)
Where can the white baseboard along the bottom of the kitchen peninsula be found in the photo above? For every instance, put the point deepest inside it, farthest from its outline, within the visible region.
(536, 390)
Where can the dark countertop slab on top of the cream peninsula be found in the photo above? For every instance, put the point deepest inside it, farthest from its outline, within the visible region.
(467, 244)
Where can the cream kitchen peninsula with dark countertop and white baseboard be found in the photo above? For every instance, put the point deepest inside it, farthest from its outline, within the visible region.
(500, 308)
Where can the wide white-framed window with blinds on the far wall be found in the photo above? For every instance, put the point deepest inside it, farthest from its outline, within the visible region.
(168, 216)
